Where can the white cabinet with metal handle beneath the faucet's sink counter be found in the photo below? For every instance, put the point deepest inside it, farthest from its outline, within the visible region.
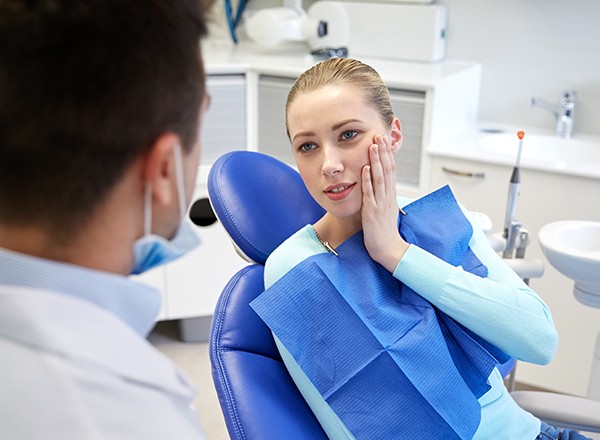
(545, 197)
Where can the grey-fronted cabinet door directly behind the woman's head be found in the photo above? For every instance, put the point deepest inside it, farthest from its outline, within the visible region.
(409, 106)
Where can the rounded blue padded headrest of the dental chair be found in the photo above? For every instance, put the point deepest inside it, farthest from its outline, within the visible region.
(260, 201)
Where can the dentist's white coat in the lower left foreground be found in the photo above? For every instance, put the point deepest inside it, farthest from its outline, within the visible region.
(71, 370)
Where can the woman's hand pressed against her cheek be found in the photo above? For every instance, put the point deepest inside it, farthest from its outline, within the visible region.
(380, 208)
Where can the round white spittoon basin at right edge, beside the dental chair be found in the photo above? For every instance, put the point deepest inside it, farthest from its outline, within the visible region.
(573, 248)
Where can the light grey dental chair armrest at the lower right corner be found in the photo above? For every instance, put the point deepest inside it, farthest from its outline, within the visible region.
(561, 410)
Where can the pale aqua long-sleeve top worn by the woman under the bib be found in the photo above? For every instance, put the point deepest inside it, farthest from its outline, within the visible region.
(500, 308)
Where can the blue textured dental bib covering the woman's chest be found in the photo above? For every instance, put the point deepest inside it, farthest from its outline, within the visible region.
(388, 363)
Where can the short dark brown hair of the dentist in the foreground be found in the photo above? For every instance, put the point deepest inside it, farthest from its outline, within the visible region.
(85, 88)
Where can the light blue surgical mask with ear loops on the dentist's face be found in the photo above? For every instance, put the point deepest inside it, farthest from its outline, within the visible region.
(152, 250)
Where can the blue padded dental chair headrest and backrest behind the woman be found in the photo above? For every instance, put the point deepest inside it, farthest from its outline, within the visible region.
(260, 201)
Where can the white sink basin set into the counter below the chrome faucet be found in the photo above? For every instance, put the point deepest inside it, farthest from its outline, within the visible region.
(544, 148)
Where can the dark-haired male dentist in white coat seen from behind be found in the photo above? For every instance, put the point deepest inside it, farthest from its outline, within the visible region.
(101, 103)
